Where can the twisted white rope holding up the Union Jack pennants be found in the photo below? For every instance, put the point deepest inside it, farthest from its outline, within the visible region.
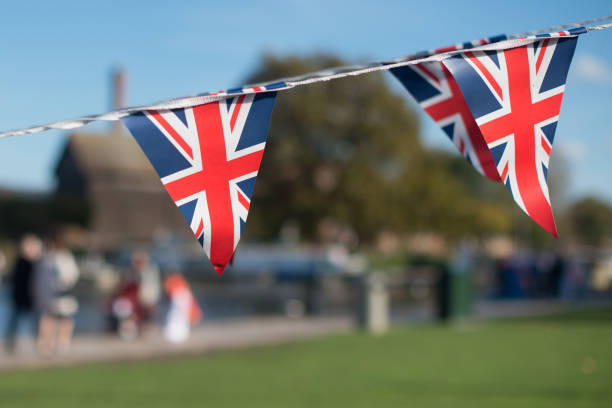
(321, 76)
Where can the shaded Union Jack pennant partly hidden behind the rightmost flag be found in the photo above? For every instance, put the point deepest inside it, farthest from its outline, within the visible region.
(436, 91)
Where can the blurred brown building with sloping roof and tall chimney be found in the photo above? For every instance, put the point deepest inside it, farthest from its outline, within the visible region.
(125, 198)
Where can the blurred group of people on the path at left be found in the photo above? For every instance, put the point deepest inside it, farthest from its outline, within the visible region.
(42, 297)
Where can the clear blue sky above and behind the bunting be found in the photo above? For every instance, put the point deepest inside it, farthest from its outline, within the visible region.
(57, 57)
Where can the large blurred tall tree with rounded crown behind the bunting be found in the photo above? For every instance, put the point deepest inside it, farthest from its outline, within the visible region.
(334, 152)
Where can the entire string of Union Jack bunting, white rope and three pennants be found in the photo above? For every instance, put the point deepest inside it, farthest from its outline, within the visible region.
(498, 99)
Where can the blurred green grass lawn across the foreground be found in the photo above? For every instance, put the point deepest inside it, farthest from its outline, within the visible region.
(562, 361)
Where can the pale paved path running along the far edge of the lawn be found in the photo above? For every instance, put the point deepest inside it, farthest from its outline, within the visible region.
(250, 332)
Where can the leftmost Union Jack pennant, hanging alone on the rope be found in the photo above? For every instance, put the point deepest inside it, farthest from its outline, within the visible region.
(207, 157)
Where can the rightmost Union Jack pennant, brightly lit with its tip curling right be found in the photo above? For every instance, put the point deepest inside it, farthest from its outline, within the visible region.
(515, 96)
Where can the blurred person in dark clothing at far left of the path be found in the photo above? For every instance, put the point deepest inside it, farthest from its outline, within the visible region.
(21, 296)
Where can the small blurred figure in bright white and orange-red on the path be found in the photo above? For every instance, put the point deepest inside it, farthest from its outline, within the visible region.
(183, 311)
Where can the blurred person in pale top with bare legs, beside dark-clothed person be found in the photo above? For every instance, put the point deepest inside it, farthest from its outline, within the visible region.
(56, 277)
